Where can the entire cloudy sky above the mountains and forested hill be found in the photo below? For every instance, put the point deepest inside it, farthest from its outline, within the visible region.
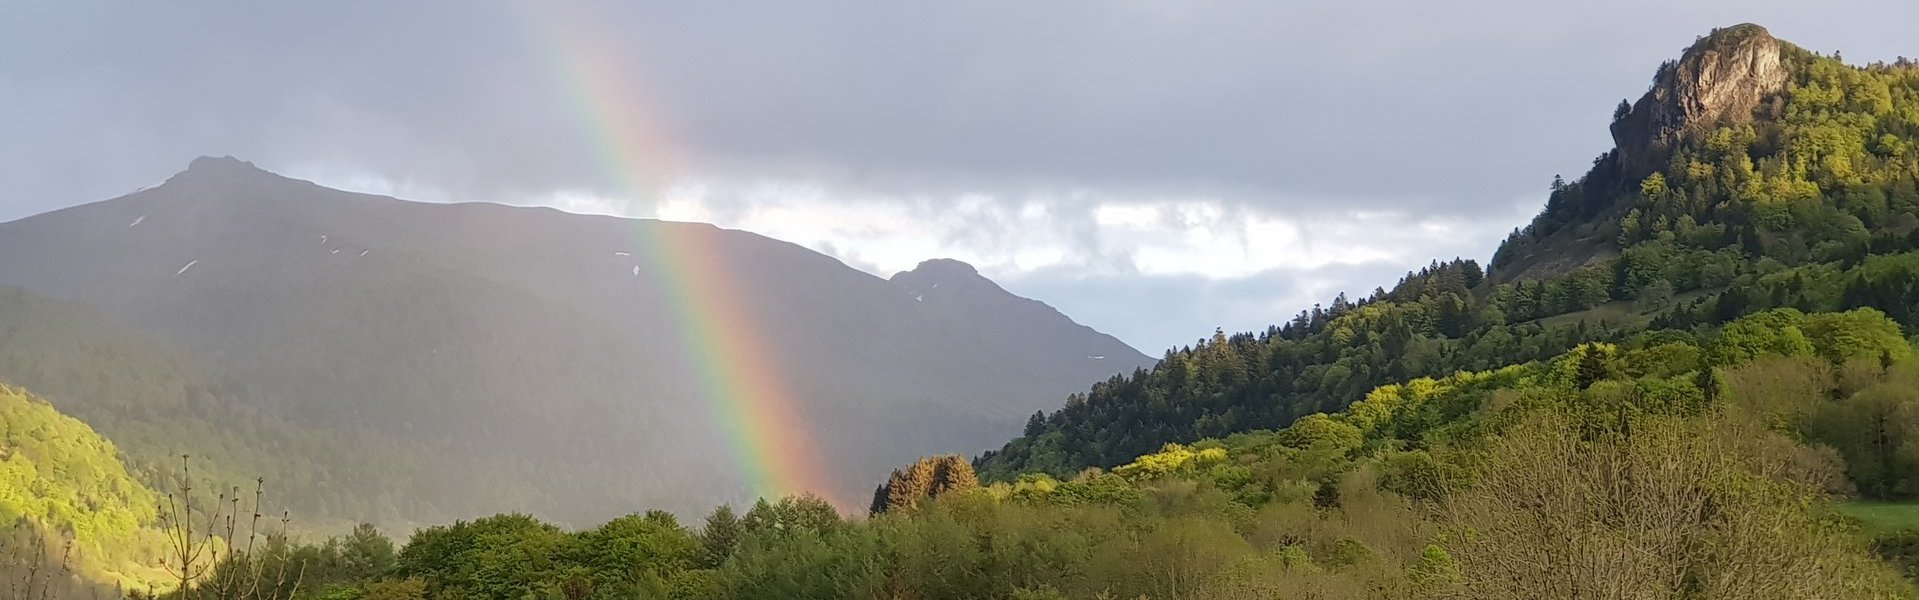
(1154, 170)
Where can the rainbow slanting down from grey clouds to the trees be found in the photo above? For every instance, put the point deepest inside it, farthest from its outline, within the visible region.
(742, 382)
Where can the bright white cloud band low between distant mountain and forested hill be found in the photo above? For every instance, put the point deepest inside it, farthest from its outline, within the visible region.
(1152, 271)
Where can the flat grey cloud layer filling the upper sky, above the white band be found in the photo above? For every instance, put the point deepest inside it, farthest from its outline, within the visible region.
(1438, 110)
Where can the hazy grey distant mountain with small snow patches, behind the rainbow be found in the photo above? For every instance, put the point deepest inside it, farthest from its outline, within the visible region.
(536, 359)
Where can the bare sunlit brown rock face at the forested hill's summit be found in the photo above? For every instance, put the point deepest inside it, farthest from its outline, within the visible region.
(1722, 78)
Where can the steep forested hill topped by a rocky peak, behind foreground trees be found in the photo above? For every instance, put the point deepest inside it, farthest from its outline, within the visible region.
(1753, 175)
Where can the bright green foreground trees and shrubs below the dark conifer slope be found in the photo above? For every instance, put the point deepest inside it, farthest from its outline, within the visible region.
(1665, 465)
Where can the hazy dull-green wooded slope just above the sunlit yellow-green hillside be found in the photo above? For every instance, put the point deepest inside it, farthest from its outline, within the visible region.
(156, 404)
